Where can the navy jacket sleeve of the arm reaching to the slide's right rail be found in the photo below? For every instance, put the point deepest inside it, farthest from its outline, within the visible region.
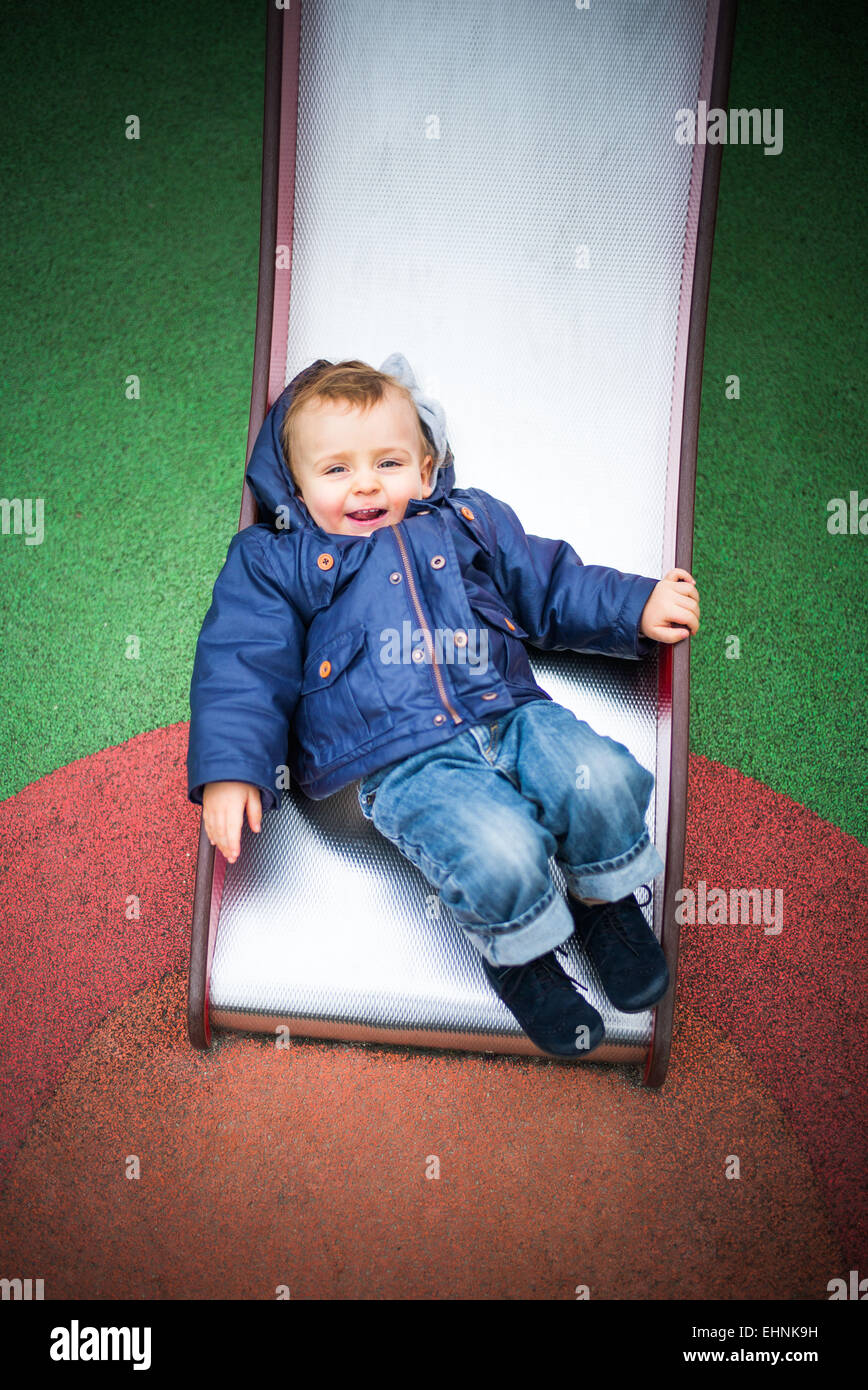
(564, 604)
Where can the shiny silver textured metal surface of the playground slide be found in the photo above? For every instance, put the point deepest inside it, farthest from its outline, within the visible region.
(496, 191)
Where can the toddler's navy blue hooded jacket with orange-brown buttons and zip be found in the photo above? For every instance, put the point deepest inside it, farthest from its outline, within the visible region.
(335, 655)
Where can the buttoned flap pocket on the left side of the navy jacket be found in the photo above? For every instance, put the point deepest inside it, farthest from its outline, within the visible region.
(341, 704)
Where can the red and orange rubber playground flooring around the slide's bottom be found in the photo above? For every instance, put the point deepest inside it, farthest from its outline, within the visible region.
(307, 1167)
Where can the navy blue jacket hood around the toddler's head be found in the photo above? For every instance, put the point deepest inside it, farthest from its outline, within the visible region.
(272, 483)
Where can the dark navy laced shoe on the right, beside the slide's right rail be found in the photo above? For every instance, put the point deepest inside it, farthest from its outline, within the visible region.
(628, 957)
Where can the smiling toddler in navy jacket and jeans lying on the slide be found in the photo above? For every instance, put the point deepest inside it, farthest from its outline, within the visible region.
(469, 768)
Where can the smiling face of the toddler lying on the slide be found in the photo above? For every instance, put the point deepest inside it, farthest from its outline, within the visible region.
(348, 461)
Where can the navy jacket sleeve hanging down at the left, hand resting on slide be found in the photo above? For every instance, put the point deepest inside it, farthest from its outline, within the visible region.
(247, 676)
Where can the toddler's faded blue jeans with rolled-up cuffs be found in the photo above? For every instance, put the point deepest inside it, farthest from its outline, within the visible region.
(483, 814)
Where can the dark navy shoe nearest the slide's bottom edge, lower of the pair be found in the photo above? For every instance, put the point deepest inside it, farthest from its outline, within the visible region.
(542, 997)
